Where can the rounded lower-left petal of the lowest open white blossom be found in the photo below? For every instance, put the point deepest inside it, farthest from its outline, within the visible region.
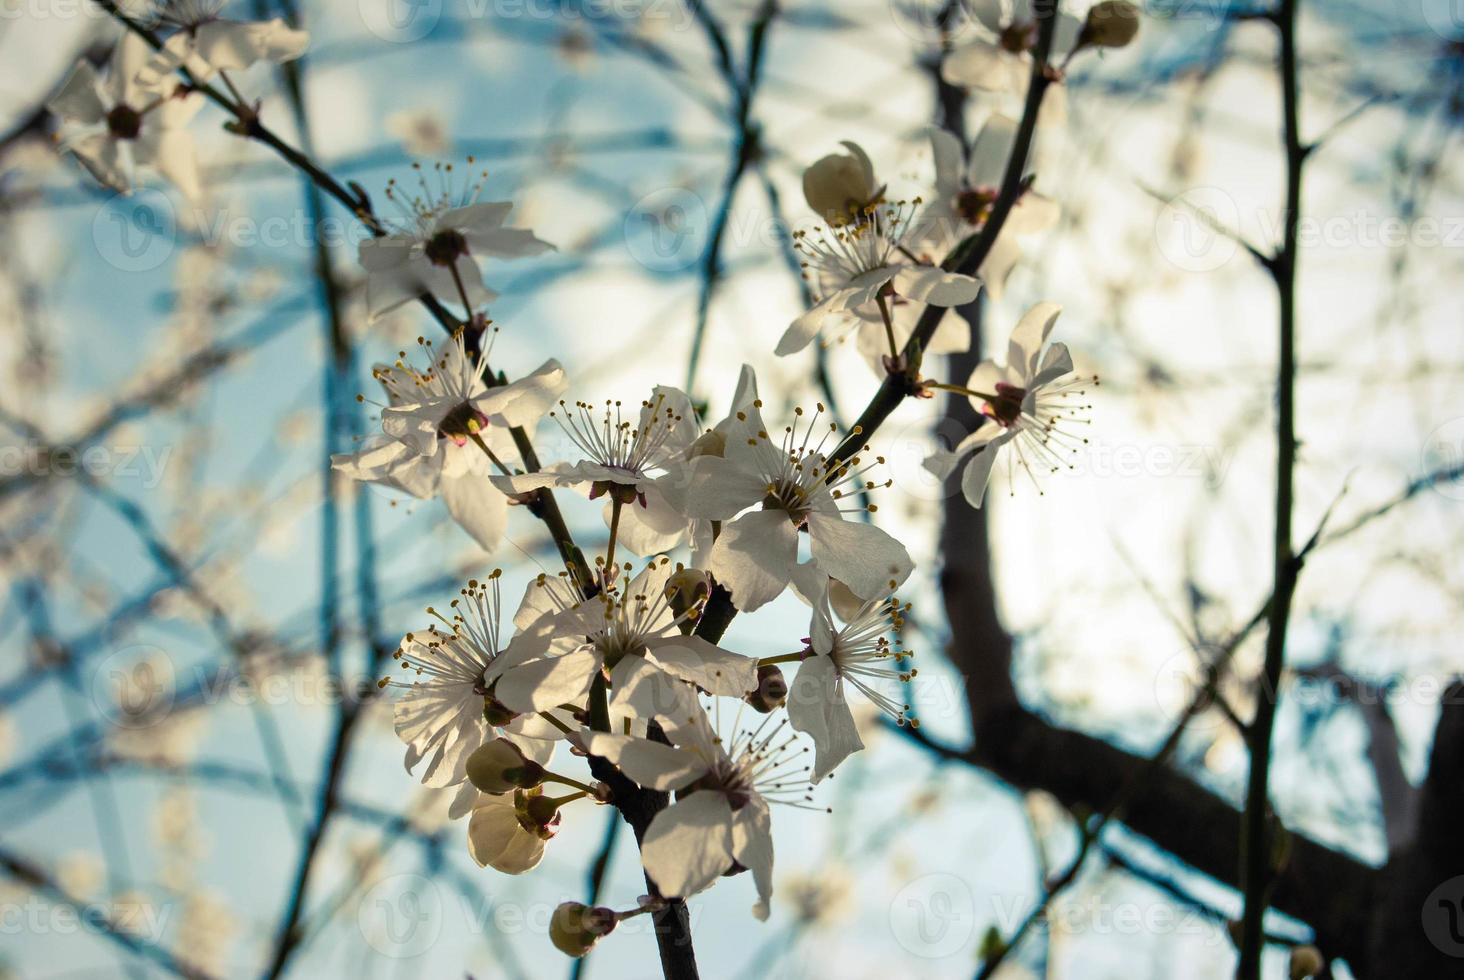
(689, 844)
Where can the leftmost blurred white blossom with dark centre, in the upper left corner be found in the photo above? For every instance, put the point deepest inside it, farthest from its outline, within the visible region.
(119, 125)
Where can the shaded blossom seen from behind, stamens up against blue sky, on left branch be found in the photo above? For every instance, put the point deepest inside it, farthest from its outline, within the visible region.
(437, 247)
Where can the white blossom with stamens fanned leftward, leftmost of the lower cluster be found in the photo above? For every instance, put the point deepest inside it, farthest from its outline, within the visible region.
(447, 711)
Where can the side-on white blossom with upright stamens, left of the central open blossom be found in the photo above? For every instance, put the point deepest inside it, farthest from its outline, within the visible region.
(639, 464)
